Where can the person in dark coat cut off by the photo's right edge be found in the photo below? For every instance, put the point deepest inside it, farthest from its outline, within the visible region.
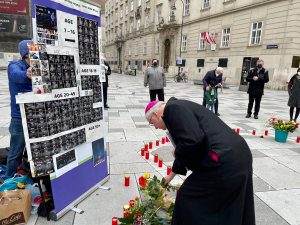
(294, 95)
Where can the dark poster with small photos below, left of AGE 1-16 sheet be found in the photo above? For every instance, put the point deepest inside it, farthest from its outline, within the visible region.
(46, 25)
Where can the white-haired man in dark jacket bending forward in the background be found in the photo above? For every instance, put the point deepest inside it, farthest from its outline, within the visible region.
(216, 77)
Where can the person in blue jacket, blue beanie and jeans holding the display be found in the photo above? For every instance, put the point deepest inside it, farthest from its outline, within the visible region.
(19, 78)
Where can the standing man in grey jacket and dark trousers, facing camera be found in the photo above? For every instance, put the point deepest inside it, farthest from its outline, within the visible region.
(156, 79)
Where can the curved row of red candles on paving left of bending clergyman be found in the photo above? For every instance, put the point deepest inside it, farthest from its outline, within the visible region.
(146, 153)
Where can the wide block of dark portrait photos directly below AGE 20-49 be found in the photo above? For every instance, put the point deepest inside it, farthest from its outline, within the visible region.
(52, 117)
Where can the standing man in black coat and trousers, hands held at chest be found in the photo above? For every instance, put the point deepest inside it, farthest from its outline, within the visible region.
(257, 78)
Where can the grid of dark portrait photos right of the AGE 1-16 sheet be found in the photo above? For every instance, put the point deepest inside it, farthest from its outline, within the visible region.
(88, 41)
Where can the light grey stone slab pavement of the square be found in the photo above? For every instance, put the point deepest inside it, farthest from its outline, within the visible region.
(276, 173)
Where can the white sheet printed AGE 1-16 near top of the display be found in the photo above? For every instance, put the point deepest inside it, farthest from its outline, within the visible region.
(67, 29)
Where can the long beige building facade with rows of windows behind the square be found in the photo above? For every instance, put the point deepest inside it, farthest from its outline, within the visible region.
(137, 31)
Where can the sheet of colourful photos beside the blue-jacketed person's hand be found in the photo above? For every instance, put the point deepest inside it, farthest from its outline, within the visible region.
(39, 65)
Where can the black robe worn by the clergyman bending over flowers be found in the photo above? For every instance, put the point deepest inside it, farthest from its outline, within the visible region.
(216, 193)
